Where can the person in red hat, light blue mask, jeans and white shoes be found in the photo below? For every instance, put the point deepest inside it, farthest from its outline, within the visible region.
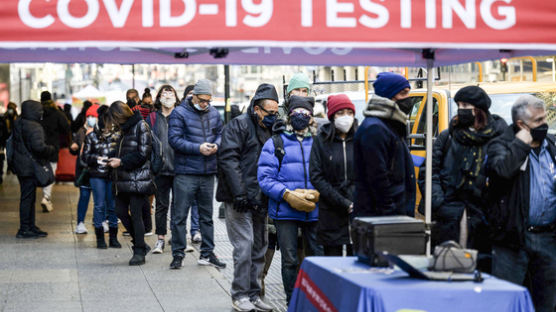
(81, 172)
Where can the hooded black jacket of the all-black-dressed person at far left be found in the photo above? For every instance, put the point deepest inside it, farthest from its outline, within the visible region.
(28, 133)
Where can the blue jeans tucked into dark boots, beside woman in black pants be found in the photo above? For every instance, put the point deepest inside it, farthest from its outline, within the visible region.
(103, 202)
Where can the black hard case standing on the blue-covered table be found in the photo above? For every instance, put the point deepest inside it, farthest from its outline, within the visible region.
(399, 235)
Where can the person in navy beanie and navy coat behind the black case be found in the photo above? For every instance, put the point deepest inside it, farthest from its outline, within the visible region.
(384, 173)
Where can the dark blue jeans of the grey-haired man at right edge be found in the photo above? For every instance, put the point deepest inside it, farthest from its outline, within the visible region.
(536, 259)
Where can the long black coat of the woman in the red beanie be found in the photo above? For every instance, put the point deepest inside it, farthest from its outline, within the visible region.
(331, 172)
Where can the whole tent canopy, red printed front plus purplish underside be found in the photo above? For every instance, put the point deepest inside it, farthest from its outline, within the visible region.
(332, 32)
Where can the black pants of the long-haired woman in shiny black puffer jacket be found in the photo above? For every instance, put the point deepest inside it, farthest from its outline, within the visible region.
(133, 203)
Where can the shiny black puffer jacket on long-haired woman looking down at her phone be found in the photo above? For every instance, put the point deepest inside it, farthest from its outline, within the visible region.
(134, 150)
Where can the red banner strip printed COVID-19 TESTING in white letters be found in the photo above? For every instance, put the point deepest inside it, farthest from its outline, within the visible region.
(499, 24)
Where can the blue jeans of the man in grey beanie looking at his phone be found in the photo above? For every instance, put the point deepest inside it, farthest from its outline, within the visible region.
(190, 188)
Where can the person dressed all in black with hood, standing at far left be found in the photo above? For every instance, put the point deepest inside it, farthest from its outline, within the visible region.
(29, 143)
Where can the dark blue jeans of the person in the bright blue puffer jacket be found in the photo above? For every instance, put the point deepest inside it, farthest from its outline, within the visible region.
(287, 240)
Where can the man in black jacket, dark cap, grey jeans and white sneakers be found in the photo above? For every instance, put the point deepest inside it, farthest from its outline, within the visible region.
(238, 187)
